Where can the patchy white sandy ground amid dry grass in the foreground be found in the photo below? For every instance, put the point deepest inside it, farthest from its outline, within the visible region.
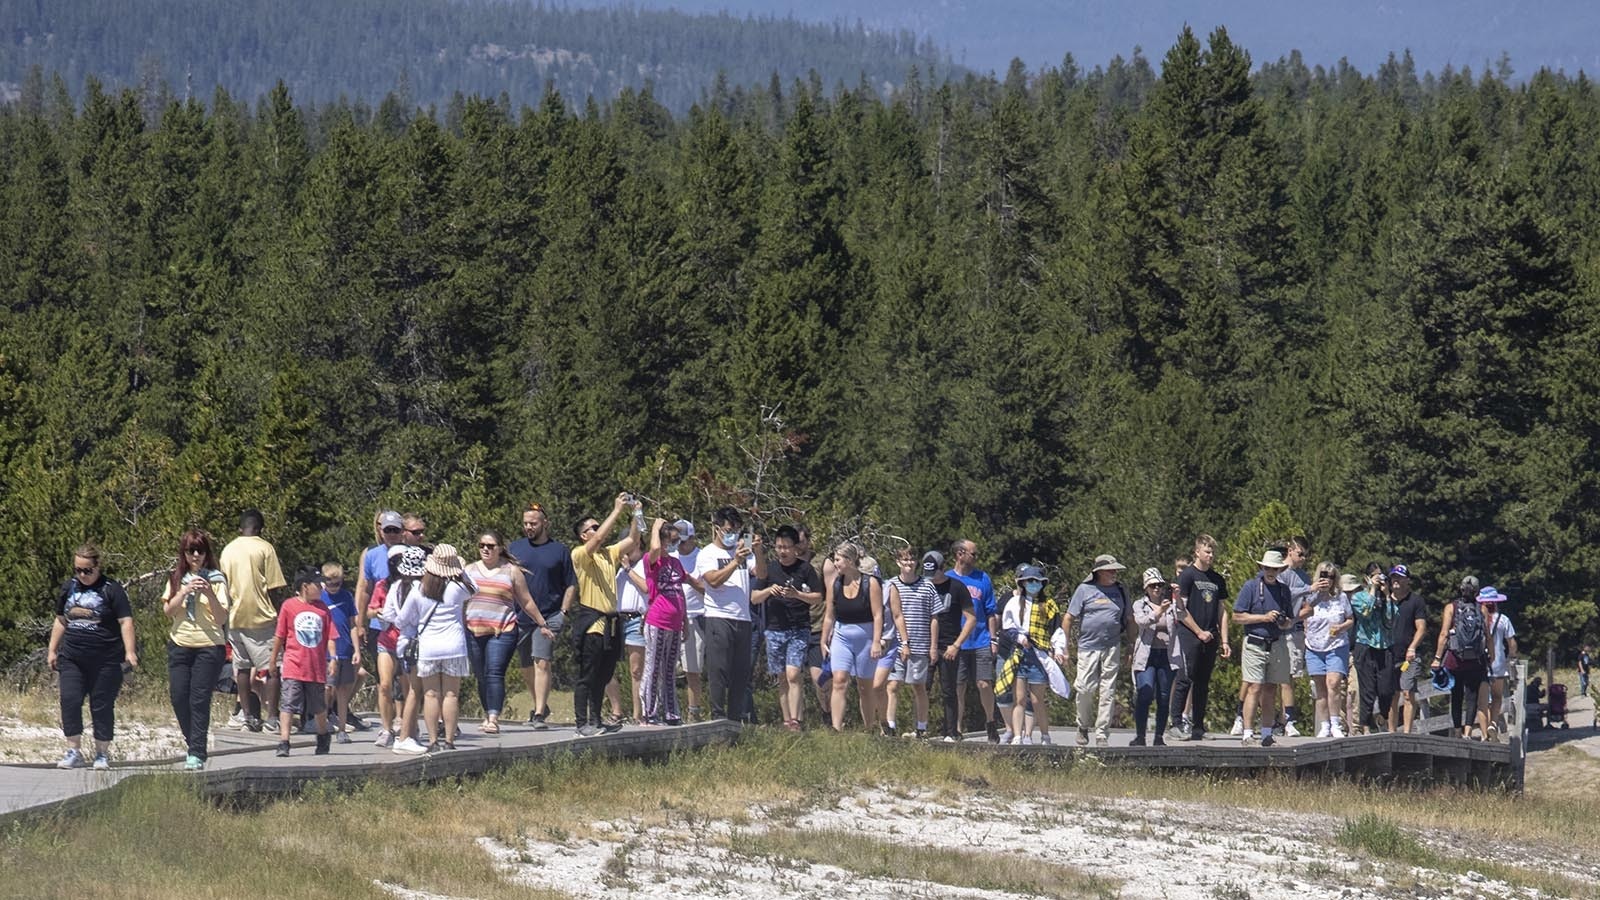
(1154, 850)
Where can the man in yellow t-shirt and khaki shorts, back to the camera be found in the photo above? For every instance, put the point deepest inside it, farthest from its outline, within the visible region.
(254, 576)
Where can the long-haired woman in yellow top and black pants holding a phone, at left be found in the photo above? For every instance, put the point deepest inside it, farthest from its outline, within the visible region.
(198, 603)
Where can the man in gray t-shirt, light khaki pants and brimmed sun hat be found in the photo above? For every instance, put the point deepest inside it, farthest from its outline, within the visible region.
(1103, 613)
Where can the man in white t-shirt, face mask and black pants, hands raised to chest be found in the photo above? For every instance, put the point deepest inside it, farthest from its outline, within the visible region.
(724, 573)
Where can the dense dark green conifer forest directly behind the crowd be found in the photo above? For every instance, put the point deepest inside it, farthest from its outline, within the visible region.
(1065, 313)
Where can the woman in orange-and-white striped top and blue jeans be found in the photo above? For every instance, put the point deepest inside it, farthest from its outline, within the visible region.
(492, 622)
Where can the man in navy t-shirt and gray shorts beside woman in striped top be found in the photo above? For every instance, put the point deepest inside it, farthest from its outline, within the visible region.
(548, 568)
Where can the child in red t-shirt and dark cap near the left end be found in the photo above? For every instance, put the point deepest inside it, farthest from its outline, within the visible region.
(305, 643)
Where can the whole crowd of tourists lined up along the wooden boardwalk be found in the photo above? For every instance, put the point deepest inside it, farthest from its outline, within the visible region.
(420, 621)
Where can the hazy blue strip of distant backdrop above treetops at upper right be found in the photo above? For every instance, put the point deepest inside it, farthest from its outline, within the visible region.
(986, 34)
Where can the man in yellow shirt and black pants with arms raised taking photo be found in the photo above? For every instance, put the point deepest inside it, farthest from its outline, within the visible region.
(598, 630)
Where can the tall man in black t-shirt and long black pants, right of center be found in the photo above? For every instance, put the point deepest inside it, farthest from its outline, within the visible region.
(1202, 635)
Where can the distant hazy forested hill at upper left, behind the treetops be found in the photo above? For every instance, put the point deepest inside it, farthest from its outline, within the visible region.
(428, 50)
